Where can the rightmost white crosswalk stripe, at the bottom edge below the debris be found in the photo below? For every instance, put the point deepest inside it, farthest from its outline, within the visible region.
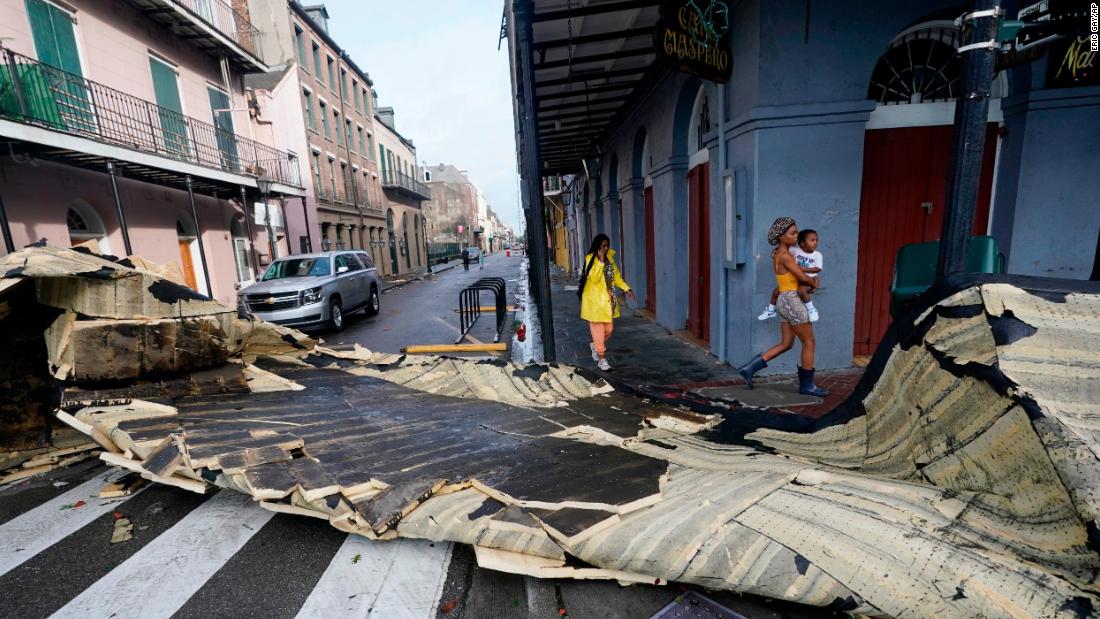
(401, 580)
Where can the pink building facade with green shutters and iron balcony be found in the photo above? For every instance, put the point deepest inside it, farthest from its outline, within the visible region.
(133, 127)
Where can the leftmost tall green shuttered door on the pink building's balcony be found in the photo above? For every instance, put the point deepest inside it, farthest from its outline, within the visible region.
(61, 98)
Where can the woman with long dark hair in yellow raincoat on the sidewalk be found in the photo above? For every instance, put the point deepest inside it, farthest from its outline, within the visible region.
(597, 291)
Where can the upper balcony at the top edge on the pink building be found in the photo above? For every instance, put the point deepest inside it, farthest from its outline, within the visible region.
(212, 25)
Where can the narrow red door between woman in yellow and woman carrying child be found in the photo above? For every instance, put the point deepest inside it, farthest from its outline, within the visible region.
(699, 258)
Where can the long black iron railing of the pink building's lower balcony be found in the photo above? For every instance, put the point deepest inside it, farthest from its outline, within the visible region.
(38, 94)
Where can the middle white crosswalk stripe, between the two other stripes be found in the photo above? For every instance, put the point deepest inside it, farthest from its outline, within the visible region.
(161, 578)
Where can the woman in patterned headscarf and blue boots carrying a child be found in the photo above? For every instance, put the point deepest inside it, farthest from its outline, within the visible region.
(791, 311)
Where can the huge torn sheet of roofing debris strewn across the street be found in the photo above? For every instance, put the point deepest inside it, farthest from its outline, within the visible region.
(961, 480)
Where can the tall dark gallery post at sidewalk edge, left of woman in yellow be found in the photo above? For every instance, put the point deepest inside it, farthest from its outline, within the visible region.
(532, 173)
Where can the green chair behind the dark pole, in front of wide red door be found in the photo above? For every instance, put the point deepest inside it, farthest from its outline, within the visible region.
(916, 268)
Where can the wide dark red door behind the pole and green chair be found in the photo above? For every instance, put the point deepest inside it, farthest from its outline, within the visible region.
(903, 203)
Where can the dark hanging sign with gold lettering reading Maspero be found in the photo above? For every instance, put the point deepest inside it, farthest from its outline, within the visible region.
(695, 37)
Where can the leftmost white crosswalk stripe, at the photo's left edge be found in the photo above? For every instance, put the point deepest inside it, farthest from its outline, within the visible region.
(32, 533)
